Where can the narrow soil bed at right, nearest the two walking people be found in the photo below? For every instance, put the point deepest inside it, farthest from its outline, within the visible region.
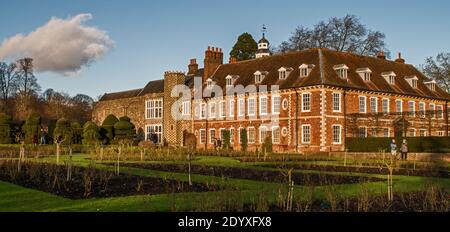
(362, 169)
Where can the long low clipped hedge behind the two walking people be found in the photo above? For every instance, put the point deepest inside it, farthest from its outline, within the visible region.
(415, 144)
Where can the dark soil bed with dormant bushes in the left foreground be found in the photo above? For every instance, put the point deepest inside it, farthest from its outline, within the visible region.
(90, 182)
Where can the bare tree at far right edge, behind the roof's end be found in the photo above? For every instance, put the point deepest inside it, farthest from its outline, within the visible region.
(439, 70)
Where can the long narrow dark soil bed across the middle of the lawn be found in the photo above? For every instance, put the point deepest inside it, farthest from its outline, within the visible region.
(254, 174)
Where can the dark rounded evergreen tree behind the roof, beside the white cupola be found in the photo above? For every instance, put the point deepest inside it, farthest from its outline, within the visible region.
(245, 47)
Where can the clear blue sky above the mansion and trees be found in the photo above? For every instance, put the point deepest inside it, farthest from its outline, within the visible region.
(154, 36)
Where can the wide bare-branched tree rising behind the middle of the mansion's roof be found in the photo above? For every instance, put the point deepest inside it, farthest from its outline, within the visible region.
(341, 34)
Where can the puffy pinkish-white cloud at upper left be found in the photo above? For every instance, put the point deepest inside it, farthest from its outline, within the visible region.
(62, 45)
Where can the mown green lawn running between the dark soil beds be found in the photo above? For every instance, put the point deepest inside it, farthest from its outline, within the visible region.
(16, 198)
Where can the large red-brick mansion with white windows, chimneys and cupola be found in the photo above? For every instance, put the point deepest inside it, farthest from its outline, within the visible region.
(306, 101)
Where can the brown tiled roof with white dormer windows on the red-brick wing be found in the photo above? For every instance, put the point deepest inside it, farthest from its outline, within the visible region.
(323, 73)
